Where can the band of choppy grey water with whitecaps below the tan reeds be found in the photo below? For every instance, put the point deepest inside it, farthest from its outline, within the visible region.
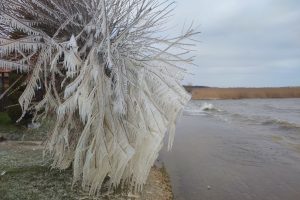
(281, 114)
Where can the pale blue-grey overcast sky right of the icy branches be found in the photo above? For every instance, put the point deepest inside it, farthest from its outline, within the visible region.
(244, 42)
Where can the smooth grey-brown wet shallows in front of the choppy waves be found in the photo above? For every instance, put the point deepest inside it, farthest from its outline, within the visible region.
(212, 160)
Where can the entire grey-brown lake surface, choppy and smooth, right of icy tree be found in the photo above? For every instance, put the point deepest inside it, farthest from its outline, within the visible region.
(237, 149)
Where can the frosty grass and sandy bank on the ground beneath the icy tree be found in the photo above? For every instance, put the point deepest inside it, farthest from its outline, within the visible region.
(23, 175)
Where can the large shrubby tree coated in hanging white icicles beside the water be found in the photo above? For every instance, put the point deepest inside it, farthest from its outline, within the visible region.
(111, 80)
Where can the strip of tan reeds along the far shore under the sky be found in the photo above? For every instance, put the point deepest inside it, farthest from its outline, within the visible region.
(242, 93)
